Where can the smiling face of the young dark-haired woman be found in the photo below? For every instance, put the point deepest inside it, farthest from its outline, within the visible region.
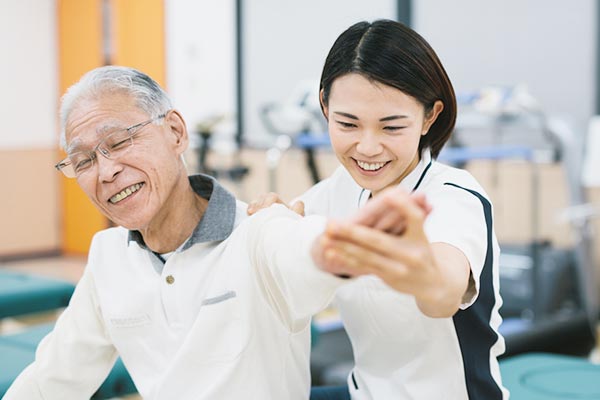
(375, 130)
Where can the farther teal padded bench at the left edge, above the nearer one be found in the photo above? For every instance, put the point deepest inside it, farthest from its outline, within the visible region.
(22, 293)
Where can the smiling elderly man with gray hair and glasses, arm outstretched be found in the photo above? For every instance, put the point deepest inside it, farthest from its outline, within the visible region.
(195, 309)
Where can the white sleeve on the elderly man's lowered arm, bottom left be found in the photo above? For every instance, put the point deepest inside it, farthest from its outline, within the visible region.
(73, 360)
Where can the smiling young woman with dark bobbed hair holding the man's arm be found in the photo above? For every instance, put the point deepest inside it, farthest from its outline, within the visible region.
(422, 313)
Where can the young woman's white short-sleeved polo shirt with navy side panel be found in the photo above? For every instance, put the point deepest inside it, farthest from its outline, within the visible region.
(399, 352)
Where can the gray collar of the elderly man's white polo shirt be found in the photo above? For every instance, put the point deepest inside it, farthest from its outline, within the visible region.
(218, 220)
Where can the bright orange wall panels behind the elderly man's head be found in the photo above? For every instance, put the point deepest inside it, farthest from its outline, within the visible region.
(136, 38)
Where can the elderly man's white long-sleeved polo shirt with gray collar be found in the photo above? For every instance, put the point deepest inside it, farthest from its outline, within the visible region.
(226, 317)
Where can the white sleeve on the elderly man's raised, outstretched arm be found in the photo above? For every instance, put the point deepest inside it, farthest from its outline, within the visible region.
(280, 247)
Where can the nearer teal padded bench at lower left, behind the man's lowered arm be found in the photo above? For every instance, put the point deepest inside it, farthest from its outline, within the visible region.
(18, 351)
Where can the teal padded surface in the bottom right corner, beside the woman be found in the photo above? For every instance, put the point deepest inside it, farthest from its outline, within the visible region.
(541, 376)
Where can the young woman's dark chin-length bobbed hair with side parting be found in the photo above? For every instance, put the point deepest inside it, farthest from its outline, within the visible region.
(391, 53)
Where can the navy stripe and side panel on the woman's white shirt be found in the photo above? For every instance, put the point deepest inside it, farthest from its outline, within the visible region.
(475, 335)
